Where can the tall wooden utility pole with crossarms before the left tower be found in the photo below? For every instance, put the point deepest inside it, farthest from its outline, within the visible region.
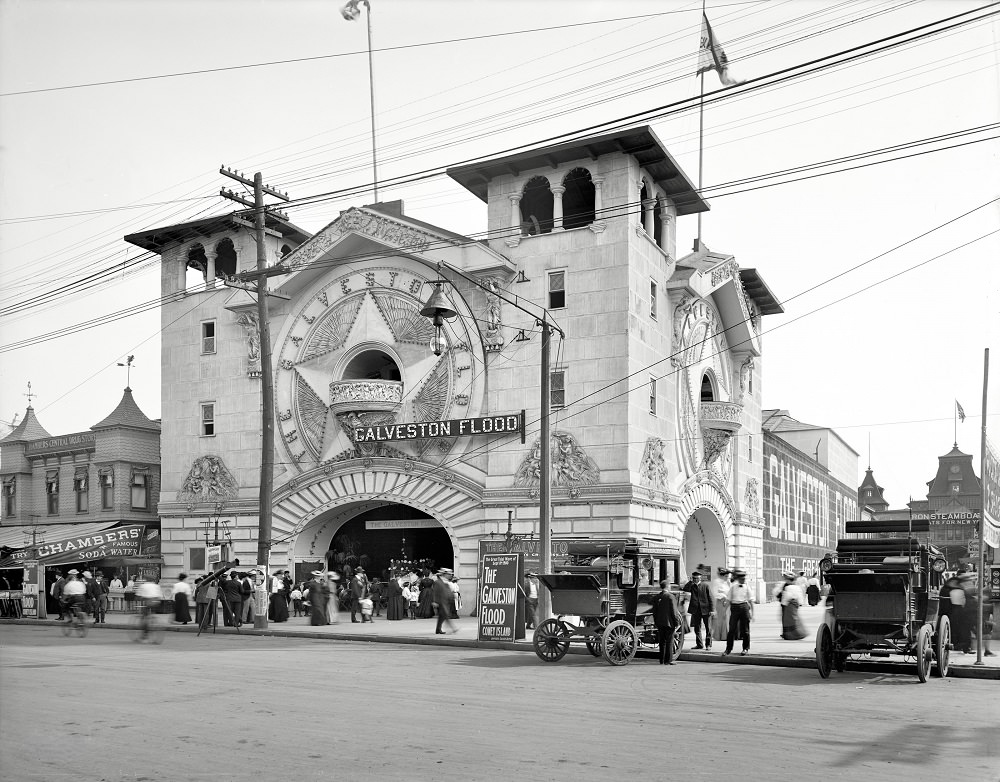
(267, 382)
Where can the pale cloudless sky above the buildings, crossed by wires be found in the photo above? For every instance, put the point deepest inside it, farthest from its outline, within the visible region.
(115, 117)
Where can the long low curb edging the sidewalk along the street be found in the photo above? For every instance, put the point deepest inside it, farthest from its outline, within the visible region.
(770, 660)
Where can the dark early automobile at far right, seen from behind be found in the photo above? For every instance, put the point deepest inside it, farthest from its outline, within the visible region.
(883, 600)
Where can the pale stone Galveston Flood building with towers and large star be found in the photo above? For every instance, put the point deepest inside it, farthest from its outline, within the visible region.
(654, 385)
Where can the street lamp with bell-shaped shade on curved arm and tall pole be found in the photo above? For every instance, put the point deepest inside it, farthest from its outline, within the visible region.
(438, 308)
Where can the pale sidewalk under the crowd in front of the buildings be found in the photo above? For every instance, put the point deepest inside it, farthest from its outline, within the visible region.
(766, 647)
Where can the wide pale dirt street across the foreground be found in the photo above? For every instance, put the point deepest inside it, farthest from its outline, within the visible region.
(248, 708)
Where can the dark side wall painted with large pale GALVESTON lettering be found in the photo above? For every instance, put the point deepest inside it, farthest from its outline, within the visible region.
(804, 510)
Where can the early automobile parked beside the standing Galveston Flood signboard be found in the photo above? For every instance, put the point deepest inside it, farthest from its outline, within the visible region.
(601, 593)
